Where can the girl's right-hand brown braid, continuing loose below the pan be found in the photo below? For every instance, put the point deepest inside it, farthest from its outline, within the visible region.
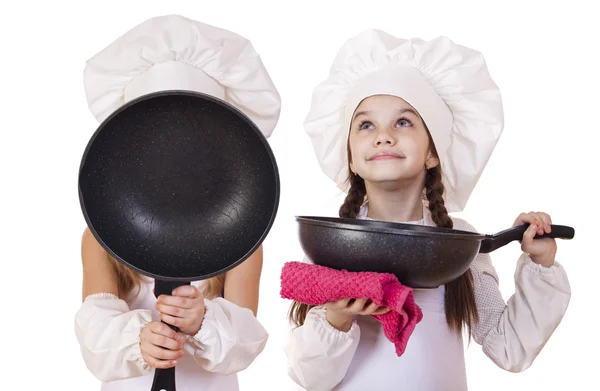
(459, 298)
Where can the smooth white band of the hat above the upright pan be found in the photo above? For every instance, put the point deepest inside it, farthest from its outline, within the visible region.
(172, 75)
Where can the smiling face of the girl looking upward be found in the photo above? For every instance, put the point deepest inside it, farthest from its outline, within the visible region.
(388, 141)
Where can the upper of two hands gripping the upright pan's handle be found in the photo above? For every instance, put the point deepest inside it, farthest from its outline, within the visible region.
(184, 310)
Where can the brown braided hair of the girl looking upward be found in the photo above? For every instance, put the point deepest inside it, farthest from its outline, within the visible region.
(459, 299)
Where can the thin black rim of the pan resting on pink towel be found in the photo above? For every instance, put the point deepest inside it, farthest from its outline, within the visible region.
(387, 227)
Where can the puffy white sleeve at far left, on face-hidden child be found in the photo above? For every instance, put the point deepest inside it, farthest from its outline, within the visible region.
(109, 336)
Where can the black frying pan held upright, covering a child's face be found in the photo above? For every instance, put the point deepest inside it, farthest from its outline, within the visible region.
(179, 186)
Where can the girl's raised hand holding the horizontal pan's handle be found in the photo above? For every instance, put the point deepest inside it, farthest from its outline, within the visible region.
(541, 251)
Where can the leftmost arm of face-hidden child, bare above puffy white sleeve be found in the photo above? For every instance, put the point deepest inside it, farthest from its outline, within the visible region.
(108, 333)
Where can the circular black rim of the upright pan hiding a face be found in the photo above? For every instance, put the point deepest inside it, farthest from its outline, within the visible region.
(259, 134)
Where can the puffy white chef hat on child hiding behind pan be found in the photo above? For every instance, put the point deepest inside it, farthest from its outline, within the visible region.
(176, 53)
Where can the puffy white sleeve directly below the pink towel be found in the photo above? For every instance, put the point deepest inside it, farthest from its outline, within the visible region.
(318, 354)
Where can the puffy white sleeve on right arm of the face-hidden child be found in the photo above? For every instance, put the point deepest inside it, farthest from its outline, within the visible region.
(229, 339)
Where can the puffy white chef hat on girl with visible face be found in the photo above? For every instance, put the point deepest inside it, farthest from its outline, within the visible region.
(448, 84)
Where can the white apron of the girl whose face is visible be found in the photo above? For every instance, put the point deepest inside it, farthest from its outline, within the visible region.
(431, 348)
